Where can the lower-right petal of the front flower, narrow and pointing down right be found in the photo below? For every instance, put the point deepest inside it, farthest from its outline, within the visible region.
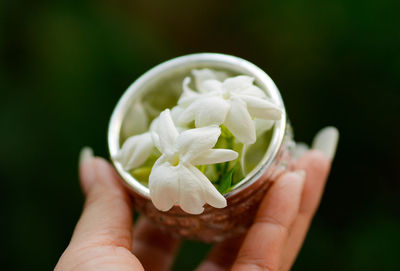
(210, 193)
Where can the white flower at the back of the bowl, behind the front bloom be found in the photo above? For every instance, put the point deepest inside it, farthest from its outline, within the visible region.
(233, 102)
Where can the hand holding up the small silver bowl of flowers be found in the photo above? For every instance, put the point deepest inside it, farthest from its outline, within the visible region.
(103, 238)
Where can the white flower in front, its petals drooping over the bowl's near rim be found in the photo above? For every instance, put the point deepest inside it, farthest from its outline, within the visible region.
(174, 179)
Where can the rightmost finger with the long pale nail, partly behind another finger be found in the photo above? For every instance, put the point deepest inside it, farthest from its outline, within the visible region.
(316, 163)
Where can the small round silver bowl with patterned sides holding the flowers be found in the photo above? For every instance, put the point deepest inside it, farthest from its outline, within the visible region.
(213, 225)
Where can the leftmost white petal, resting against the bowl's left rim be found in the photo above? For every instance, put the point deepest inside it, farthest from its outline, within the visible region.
(135, 151)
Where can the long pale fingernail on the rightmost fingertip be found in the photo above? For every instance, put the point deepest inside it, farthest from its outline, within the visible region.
(326, 141)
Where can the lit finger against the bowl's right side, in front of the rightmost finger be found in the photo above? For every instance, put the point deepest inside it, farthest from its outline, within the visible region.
(263, 246)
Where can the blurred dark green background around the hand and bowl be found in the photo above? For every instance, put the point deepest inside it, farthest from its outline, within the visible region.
(64, 65)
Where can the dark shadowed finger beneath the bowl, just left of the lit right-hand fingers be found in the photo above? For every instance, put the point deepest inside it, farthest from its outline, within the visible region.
(222, 255)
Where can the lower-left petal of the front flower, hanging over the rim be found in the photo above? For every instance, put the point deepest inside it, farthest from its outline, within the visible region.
(164, 184)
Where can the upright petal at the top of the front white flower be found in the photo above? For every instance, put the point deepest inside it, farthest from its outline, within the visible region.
(166, 132)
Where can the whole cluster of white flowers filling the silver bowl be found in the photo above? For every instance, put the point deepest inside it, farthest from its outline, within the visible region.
(175, 179)
